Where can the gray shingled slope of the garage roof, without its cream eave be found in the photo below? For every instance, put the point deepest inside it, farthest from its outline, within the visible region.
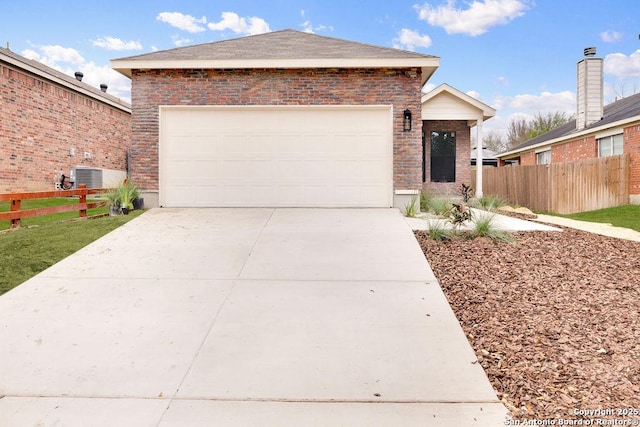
(283, 44)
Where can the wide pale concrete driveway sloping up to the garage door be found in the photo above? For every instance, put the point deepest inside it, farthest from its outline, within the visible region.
(200, 317)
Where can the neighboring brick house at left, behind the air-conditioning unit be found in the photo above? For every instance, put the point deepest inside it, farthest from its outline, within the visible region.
(53, 123)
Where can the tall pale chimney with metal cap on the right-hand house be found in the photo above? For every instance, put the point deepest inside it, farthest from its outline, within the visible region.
(590, 89)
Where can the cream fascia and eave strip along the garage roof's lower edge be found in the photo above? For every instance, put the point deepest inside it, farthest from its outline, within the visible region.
(427, 65)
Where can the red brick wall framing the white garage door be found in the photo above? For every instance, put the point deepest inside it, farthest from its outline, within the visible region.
(398, 87)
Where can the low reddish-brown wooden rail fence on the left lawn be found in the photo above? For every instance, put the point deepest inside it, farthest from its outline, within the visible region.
(15, 201)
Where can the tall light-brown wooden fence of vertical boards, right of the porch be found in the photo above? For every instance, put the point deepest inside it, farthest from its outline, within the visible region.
(563, 188)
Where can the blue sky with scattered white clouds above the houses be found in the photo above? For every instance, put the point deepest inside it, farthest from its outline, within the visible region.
(519, 56)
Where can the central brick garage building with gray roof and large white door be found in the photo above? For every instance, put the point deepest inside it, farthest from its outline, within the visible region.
(279, 119)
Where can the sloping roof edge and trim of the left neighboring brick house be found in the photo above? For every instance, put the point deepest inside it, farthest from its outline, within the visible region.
(52, 74)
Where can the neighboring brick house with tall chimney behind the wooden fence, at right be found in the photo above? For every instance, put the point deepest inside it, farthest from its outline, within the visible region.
(598, 131)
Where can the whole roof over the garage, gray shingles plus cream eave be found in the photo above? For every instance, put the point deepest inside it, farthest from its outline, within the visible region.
(279, 49)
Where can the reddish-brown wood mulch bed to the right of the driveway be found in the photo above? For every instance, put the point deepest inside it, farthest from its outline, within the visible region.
(554, 318)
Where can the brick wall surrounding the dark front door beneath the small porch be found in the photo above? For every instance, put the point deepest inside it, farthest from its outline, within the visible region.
(463, 155)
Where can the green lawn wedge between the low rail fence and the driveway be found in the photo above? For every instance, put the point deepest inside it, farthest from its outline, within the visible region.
(28, 251)
